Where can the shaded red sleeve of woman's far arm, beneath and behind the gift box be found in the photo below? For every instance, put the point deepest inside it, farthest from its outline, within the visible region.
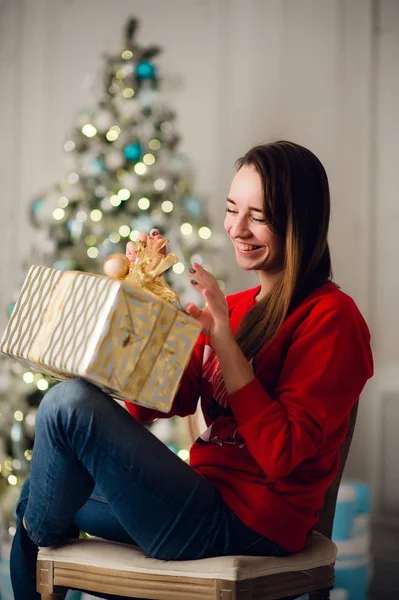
(186, 398)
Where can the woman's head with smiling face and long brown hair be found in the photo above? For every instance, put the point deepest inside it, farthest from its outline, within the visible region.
(286, 185)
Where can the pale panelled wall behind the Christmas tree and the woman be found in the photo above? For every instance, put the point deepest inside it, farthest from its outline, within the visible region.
(320, 72)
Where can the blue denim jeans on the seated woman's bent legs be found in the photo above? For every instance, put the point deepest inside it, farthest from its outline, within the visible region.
(95, 468)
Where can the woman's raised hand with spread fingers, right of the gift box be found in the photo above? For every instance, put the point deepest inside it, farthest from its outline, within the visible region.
(214, 318)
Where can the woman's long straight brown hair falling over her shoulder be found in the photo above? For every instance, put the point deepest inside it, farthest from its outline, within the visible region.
(296, 202)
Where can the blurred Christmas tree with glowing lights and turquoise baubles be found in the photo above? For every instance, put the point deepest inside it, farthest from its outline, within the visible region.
(125, 174)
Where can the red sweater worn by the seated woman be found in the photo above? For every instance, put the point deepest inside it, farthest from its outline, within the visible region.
(272, 447)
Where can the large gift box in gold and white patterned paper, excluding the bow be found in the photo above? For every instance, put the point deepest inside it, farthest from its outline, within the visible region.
(125, 340)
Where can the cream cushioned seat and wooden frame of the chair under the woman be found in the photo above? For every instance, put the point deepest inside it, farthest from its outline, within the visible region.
(98, 565)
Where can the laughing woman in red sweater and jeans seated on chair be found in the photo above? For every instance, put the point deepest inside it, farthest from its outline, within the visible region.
(278, 369)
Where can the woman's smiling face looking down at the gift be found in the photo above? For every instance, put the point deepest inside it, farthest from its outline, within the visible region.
(257, 247)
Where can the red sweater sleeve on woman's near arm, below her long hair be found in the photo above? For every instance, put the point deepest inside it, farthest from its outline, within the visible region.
(325, 369)
